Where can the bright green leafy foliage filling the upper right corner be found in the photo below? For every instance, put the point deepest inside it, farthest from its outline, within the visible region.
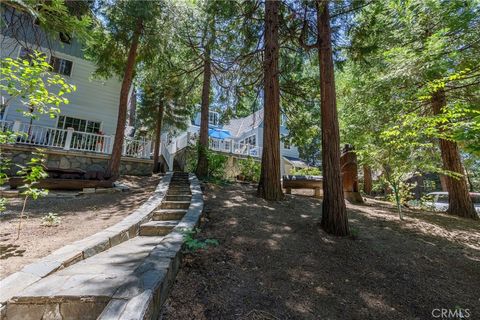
(401, 55)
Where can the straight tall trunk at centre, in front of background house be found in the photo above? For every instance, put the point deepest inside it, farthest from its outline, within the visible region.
(269, 186)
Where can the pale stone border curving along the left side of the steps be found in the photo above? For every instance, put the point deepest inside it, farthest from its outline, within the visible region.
(85, 248)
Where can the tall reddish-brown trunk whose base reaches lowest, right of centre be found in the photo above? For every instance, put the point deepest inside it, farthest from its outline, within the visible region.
(334, 212)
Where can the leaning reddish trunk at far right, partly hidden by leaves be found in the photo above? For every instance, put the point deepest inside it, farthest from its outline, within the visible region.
(459, 201)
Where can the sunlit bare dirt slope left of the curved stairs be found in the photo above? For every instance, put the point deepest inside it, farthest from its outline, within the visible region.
(81, 216)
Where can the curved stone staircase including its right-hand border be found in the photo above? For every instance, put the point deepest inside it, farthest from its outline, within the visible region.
(127, 281)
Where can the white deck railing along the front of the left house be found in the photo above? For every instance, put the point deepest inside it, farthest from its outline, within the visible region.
(69, 139)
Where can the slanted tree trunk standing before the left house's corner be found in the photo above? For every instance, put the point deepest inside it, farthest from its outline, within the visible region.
(113, 170)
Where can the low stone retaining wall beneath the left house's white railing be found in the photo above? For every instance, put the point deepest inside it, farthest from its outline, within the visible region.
(76, 160)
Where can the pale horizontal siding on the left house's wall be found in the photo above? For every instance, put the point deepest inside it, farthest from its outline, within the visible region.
(95, 100)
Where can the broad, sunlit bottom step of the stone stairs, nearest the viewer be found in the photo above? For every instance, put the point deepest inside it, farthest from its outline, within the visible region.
(82, 290)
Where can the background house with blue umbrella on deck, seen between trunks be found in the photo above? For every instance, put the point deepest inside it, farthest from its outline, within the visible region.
(244, 136)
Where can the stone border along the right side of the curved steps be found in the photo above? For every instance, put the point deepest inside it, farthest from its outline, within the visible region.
(156, 275)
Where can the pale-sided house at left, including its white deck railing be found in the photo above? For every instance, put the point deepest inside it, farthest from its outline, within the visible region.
(92, 110)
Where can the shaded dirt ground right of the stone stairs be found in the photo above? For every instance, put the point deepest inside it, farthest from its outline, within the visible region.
(273, 262)
